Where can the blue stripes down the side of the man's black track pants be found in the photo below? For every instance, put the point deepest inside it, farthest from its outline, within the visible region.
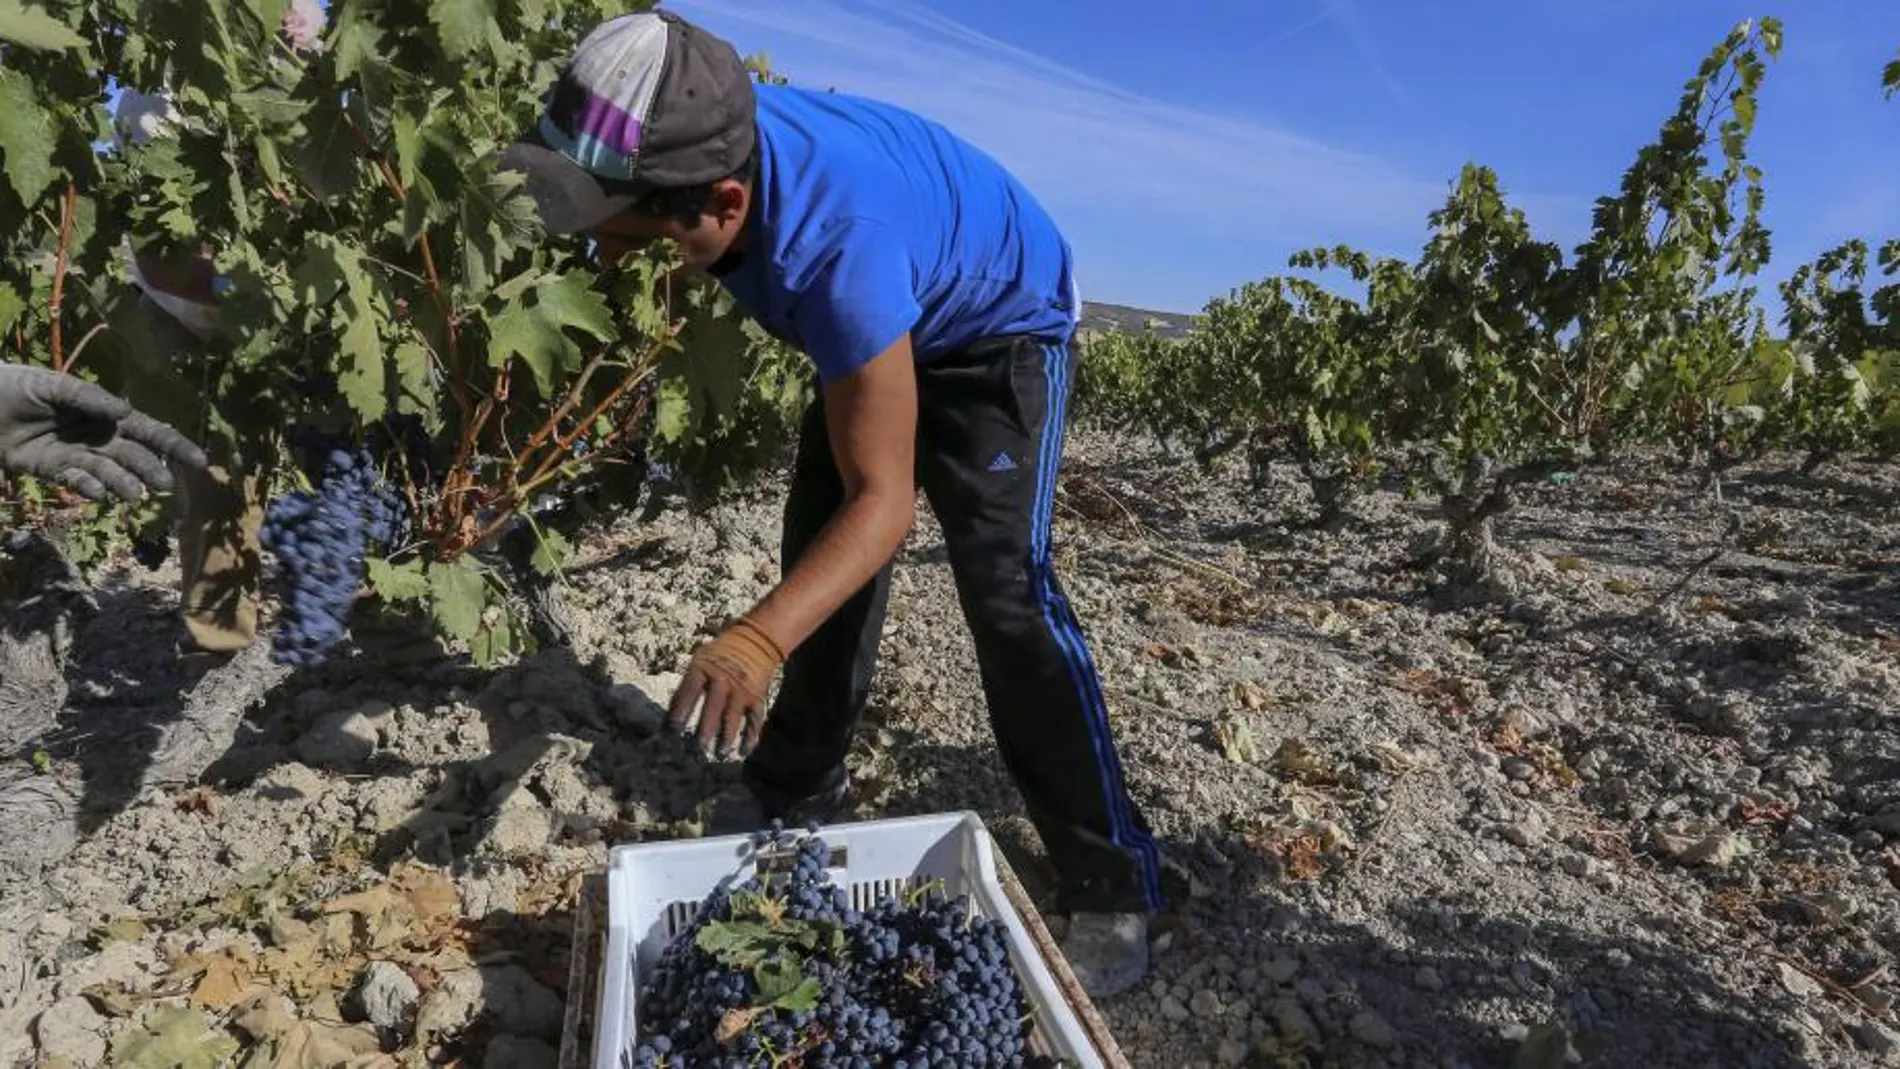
(1061, 620)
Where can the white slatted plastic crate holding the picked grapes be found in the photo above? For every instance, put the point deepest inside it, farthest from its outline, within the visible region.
(655, 890)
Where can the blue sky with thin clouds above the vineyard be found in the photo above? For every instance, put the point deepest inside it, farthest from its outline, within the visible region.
(1192, 147)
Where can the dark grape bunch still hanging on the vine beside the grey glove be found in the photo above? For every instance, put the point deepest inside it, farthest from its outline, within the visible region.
(320, 540)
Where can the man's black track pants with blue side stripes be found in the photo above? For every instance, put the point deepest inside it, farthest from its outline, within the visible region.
(991, 426)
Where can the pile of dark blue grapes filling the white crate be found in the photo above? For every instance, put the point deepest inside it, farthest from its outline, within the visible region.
(917, 985)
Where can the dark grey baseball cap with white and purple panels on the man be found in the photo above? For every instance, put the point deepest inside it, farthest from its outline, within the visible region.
(647, 102)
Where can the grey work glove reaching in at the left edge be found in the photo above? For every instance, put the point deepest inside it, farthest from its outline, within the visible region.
(64, 428)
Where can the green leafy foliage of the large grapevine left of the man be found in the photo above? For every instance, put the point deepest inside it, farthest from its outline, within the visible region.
(381, 271)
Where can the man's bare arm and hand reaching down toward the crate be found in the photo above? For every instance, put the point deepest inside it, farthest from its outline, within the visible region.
(871, 417)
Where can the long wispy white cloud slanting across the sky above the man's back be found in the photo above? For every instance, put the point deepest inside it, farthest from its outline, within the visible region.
(1088, 147)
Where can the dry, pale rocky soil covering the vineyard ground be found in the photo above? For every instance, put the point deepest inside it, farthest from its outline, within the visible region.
(1629, 814)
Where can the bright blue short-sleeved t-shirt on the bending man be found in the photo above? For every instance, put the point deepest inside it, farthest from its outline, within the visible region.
(871, 221)
